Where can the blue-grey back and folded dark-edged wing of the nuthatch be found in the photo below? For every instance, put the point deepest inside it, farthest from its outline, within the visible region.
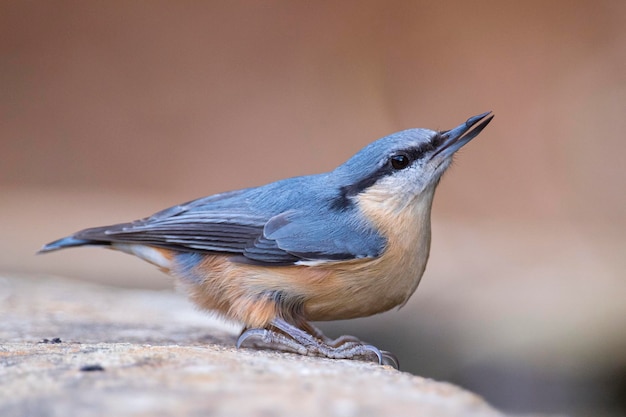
(244, 223)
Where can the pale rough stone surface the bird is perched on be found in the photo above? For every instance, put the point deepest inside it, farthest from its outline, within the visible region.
(71, 348)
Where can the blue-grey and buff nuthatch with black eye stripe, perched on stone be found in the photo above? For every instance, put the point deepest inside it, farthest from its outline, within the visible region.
(348, 243)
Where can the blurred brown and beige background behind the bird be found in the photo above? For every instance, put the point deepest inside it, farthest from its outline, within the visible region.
(110, 111)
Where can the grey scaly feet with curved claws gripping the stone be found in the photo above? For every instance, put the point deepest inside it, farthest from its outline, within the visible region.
(285, 335)
